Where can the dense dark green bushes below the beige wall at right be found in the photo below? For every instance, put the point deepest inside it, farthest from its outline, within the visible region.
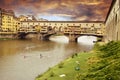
(108, 68)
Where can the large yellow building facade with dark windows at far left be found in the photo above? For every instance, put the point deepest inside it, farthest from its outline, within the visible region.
(9, 22)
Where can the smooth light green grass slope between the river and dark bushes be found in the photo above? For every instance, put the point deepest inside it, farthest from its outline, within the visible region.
(67, 67)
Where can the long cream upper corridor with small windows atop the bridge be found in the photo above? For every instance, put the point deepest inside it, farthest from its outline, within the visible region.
(59, 26)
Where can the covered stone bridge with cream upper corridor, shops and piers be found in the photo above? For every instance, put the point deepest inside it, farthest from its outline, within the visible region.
(71, 29)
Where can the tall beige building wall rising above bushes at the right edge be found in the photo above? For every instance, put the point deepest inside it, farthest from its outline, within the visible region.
(112, 22)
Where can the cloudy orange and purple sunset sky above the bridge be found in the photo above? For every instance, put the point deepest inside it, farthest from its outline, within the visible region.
(60, 10)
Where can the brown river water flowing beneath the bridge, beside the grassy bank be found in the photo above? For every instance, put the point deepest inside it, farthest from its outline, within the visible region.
(25, 59)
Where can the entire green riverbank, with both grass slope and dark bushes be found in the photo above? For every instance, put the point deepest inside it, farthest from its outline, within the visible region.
(99, 64)
